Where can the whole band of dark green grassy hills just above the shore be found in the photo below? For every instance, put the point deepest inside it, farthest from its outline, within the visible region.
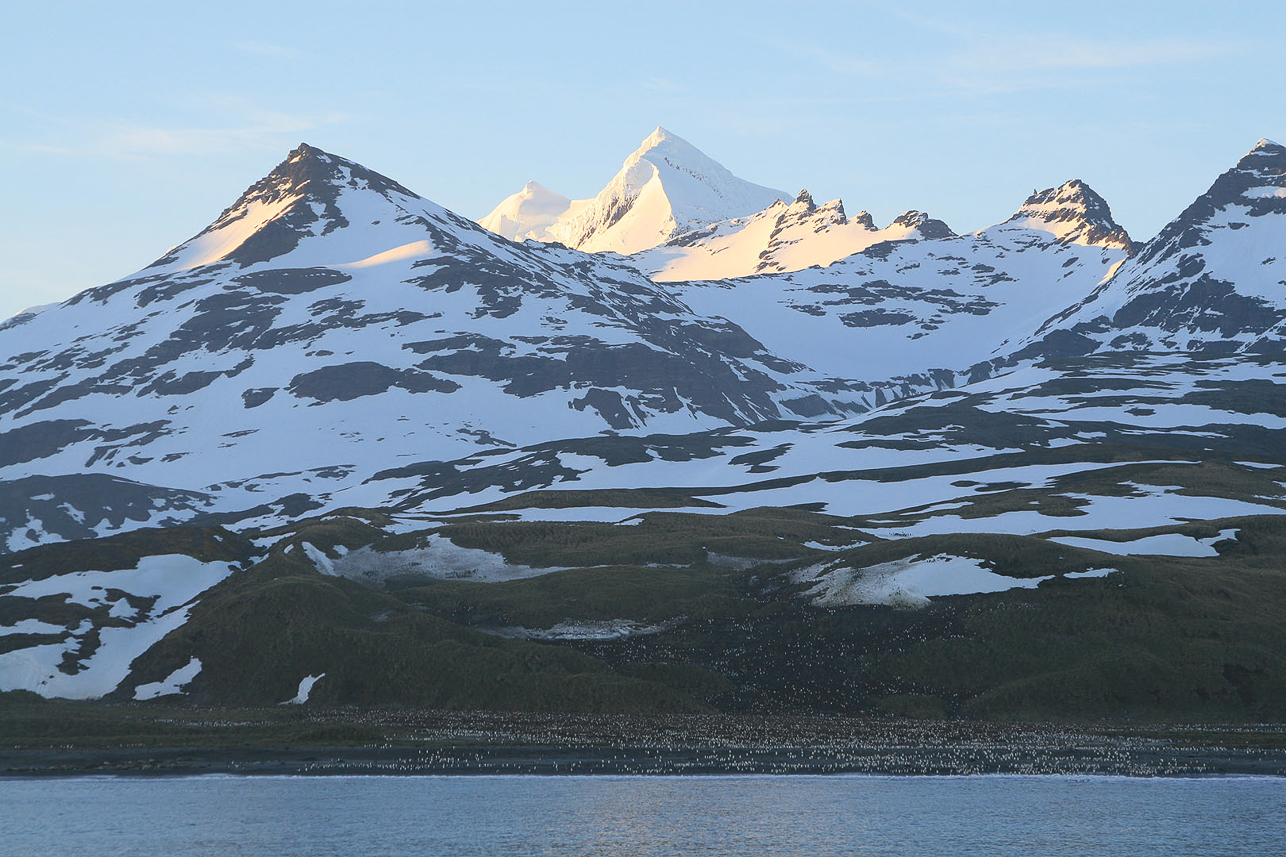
(707, 613)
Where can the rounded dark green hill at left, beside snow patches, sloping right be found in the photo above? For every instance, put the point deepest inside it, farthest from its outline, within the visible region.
(268, 627)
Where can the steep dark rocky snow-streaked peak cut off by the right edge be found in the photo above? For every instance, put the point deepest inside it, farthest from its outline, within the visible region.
(1211, 281)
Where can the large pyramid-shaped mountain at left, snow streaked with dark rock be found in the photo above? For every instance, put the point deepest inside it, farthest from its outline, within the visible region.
(334, 304)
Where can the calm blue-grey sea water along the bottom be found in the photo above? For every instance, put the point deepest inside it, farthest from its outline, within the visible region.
(604, 815)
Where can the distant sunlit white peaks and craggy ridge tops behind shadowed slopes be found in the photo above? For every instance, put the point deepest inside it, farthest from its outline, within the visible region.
(677, 216)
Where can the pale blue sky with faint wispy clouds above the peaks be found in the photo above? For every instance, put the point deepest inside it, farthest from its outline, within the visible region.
(127, 128)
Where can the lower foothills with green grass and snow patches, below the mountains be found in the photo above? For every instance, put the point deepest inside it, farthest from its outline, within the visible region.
(1064, 541)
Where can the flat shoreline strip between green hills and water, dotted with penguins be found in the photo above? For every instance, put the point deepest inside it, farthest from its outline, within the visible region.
(133, 741)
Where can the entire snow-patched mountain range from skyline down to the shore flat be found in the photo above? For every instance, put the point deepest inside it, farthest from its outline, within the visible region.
(353, 429)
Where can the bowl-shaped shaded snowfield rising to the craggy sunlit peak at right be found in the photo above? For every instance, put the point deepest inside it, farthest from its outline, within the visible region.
(923, 311)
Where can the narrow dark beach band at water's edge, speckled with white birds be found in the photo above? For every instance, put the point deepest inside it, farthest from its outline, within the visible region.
(698, 761)
